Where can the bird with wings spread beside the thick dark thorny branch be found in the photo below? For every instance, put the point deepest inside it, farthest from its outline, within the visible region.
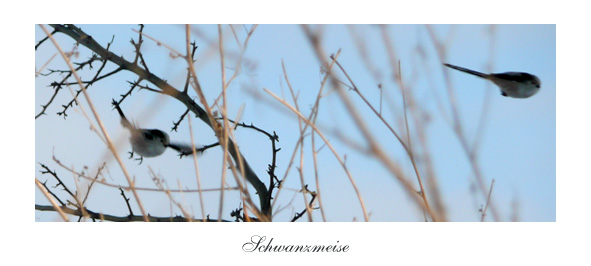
(150, 142)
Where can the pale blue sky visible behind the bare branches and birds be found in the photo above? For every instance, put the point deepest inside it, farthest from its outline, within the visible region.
(517, 145)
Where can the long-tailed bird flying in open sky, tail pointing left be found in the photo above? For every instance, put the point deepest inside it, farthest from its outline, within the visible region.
(512, 84)
